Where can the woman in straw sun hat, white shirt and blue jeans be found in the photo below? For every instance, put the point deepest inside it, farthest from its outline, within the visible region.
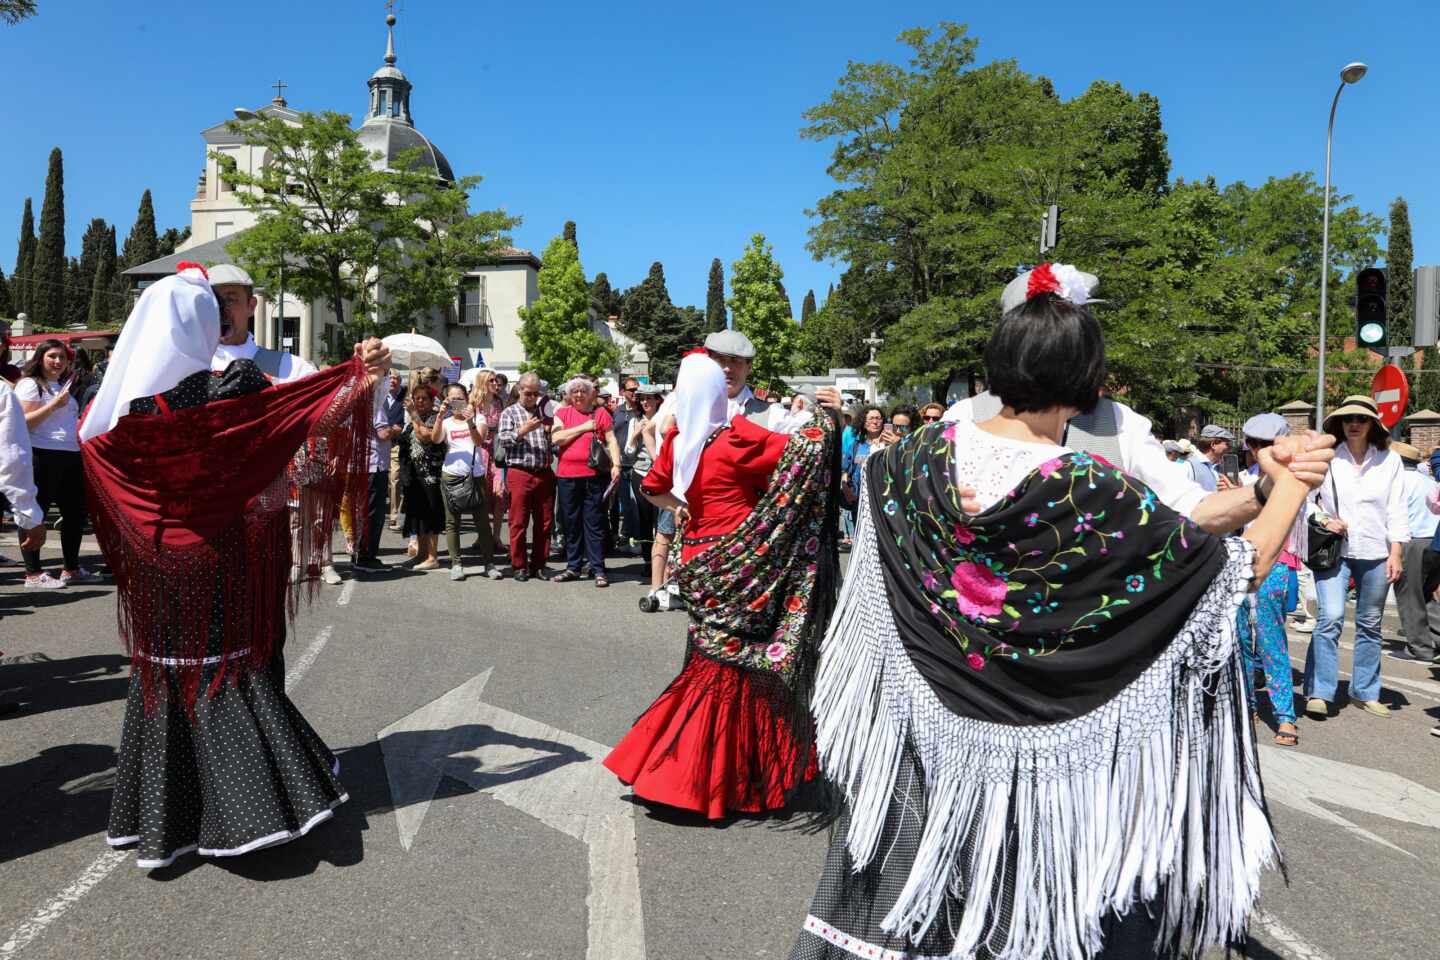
(1364, 500)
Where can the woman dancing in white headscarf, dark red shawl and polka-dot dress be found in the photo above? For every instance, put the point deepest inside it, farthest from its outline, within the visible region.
(188, 481)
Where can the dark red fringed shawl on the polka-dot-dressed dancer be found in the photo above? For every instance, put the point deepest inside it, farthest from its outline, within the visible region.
(191, 513)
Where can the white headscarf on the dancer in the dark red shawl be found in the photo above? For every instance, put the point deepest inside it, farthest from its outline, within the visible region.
(169, 336)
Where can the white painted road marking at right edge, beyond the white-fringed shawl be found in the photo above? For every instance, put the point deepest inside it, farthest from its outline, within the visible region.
(1305, 782)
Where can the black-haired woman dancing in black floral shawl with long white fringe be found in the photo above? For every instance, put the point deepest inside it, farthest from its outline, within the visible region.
(1038, 713)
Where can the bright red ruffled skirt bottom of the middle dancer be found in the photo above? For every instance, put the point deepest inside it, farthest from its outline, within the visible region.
(719, 741)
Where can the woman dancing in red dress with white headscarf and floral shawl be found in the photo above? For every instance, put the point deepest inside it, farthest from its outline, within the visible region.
(732, 732)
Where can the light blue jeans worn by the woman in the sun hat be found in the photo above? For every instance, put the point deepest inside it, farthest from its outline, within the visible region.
(1323, 660)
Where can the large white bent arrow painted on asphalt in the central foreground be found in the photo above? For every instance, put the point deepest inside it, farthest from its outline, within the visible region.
(552, 775)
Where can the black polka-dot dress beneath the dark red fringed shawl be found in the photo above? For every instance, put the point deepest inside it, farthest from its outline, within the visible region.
(248, 771)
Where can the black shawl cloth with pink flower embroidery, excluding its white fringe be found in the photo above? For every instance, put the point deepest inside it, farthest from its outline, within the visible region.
(1048, 604)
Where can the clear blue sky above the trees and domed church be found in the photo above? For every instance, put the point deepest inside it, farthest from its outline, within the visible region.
(670, 132)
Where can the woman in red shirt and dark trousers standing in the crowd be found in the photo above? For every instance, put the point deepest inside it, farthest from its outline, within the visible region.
(582, 489)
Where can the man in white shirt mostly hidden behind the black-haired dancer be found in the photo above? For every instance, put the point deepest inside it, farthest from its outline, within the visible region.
(1124, 437)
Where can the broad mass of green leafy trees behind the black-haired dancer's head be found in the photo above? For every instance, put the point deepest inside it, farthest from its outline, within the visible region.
(942, 172)
